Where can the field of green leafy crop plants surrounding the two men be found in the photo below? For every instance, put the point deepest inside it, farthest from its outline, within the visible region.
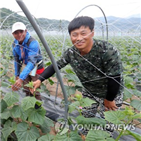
(130, 50)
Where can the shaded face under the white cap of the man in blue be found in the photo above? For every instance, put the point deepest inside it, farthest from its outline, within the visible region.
(20, 35)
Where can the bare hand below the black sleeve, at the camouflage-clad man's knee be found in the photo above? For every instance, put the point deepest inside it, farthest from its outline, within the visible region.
(110, 105)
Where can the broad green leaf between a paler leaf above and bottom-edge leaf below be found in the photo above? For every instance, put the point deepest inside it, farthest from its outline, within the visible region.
(37, 115)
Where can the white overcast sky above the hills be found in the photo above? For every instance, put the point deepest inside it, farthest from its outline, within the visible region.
(68, 9)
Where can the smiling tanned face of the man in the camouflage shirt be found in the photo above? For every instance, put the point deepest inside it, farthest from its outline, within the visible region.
(82, 38)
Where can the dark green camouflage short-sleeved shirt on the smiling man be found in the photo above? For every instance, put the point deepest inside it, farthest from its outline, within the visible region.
(93, 68)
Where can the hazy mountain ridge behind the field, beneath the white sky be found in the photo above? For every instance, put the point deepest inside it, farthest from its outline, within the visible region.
(130, 23)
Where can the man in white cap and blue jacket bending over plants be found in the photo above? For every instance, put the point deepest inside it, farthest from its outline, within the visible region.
(28, 61)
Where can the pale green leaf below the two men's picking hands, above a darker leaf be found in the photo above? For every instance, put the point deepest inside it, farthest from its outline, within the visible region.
(28, 102)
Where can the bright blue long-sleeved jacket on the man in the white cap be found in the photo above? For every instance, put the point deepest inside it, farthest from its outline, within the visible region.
(32, 56)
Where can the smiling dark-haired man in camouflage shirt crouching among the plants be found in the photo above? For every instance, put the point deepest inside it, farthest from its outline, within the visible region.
(96, 63)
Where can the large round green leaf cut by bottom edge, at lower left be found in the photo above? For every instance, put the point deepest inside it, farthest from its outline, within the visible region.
(26, 133)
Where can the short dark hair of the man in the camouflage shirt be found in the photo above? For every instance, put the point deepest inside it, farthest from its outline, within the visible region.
(81, 21)
